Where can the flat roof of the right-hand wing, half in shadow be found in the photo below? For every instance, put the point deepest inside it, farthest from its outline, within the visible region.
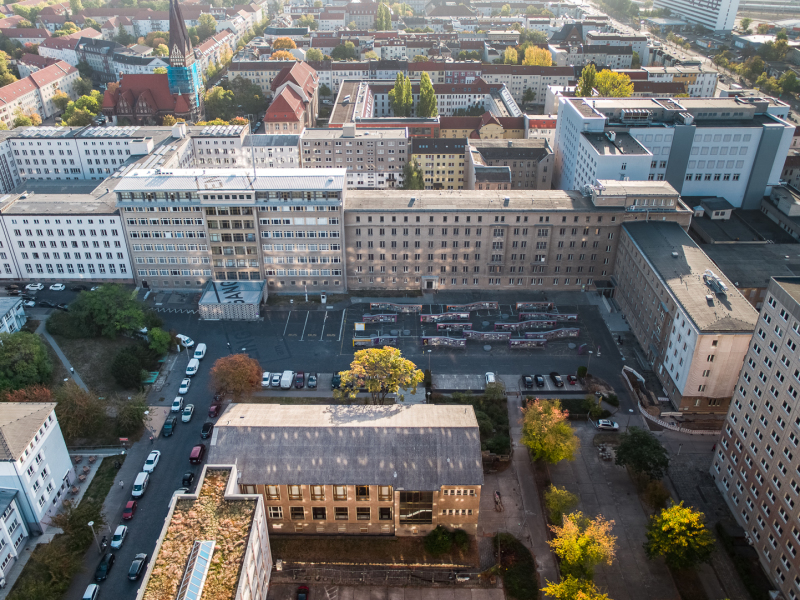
(680, 263)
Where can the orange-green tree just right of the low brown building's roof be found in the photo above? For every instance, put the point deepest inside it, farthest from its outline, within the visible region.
(546, 433)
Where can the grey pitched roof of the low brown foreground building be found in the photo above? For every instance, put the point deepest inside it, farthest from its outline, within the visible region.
(415, 447)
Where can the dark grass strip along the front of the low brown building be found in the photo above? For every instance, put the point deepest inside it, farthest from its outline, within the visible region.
(366, 550)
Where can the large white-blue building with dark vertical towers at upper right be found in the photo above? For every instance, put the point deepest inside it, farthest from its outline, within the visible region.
(728, 147)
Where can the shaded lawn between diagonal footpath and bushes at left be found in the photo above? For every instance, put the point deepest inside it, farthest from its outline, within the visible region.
(91, 358)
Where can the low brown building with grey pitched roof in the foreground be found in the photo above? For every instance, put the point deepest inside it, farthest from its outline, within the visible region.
(339, 486)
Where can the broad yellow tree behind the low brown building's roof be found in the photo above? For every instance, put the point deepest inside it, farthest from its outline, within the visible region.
(382, 371)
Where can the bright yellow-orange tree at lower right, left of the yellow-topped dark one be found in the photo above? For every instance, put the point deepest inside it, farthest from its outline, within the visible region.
(582, 544)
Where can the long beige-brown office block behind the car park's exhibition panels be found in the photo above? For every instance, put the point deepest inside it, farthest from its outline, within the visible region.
(496, 239)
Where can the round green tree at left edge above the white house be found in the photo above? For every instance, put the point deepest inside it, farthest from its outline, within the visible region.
(23, 360)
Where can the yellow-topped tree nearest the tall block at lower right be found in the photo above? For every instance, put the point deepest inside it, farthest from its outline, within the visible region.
(679, 534)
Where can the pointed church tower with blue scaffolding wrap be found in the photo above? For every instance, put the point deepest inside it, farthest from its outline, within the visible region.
(183, 73)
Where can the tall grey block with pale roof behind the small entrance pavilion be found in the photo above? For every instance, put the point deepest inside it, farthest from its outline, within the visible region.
(185, 226)
